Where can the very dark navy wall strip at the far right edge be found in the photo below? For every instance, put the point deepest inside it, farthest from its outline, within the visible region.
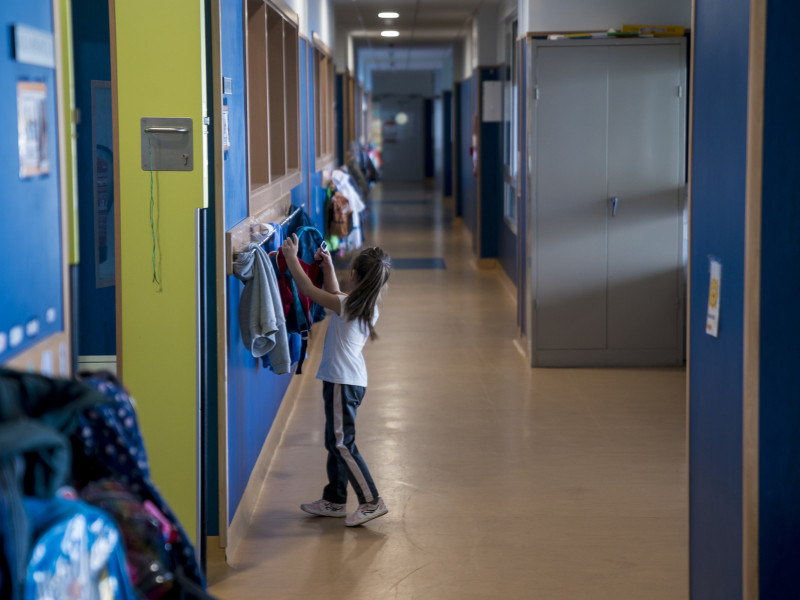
(779, 468)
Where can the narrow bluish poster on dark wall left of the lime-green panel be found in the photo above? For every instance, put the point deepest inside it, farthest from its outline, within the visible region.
(102, 144)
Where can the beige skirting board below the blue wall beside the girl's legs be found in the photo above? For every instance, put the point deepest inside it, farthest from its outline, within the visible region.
(244, 513)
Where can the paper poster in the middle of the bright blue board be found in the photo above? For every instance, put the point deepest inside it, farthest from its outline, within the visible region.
(32, 129)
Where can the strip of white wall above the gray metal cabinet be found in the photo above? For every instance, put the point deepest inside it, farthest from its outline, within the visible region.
(600, 15)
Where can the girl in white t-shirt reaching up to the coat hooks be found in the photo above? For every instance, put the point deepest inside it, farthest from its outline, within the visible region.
(344, 374)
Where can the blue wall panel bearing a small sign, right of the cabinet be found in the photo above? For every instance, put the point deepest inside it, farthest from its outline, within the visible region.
(715, 384)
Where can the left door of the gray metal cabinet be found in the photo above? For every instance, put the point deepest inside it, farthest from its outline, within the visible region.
(569, 222)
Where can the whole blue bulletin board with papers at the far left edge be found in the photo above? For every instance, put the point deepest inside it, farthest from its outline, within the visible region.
(34, 321)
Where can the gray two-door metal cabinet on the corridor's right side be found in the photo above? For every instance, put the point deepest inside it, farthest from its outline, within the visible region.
(607, 142)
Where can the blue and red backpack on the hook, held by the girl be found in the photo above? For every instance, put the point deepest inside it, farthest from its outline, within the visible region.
(300, 311)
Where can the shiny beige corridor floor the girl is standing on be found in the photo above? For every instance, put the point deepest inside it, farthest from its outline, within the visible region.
(501, 481)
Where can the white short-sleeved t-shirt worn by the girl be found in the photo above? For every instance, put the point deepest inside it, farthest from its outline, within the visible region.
(342, 361)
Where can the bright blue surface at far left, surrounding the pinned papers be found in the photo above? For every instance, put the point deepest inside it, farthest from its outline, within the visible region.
(30, 225)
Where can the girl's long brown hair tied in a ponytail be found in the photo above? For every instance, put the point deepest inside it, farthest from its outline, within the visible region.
(372, 268)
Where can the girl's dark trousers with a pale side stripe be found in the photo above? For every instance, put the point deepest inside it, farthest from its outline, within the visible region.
(344, 460)
